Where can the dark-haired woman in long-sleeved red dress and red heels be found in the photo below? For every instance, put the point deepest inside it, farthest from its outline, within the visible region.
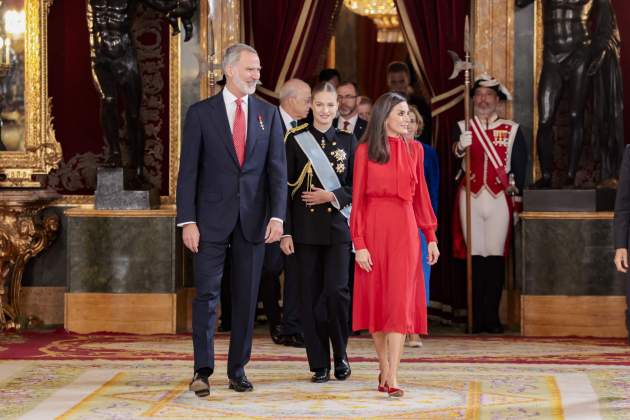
(390, 202)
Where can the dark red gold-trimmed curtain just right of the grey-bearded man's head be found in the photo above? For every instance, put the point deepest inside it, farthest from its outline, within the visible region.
(291, 38)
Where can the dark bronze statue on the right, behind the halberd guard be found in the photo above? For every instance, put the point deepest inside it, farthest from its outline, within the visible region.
(574, 56)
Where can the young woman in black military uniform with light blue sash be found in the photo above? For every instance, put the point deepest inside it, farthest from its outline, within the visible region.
(320, 160)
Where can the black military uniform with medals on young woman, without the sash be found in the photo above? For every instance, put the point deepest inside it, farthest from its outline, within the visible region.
(321, 238)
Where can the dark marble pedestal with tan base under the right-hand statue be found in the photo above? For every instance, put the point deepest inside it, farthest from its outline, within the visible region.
(569, 283)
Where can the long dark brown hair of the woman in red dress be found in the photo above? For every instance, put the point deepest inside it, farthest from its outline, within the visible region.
(375, 135)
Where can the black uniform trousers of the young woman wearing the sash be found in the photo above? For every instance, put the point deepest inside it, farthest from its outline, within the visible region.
(325, 300)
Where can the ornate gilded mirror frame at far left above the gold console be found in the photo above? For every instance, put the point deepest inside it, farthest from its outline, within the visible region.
(42, 152)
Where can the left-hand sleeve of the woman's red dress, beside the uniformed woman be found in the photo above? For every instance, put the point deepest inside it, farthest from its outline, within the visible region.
(357, 215)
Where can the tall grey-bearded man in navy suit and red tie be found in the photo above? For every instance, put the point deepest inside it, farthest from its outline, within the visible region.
(231, 192)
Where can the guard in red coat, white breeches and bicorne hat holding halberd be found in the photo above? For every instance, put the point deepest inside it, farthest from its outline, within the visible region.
(498, 169)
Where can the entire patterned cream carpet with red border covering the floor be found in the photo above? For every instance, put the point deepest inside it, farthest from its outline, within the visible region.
(109, 376)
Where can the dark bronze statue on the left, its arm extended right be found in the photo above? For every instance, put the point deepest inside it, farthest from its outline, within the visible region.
(115, 68)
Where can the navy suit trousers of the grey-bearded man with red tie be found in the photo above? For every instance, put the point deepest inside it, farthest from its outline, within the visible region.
(247, 260)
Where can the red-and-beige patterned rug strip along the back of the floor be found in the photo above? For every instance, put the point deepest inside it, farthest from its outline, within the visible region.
(60, 345)
